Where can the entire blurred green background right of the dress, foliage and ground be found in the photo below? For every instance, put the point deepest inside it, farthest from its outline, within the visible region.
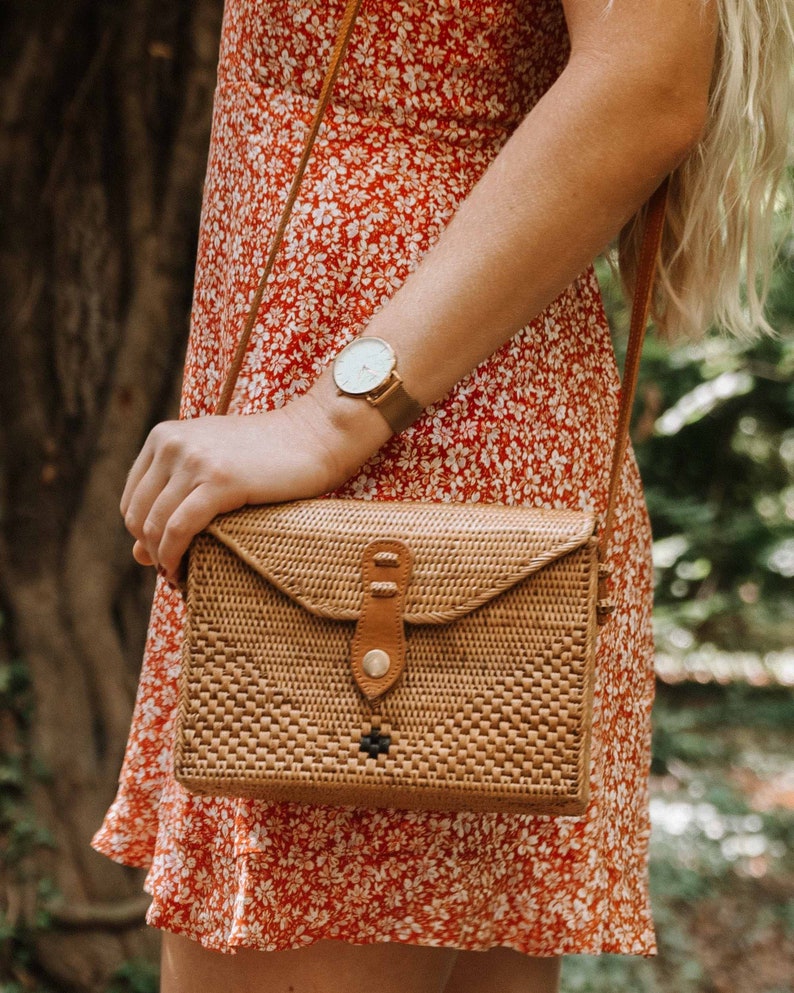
(714, 439)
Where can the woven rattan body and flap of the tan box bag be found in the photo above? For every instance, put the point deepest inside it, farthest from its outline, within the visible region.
(493, 710)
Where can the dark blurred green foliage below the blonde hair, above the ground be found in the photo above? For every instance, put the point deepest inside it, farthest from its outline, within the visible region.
(714, 438)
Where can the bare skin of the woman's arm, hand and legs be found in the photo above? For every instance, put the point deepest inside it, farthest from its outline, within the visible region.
(627, 109)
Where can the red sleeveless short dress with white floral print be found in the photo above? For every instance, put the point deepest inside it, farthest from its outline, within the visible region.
(429, 91)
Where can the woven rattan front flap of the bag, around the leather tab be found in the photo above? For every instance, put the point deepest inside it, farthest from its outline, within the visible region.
(464, 554)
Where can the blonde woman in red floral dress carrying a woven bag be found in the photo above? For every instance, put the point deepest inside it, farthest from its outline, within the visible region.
(421, 223)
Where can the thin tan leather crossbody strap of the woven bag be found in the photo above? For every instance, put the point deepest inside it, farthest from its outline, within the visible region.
(642, 294)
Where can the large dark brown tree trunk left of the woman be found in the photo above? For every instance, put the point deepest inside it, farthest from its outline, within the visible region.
(105, 110)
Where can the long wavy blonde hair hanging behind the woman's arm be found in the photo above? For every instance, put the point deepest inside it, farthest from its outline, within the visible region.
(720, 242)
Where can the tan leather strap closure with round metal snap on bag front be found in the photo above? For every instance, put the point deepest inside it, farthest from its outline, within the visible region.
(377, 652)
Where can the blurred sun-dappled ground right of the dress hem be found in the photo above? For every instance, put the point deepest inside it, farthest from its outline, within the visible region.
(722, 855)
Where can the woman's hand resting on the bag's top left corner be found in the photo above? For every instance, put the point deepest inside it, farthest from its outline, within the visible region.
(189, 471)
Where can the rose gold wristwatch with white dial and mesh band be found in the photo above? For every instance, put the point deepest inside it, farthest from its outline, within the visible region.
(367, 368)
